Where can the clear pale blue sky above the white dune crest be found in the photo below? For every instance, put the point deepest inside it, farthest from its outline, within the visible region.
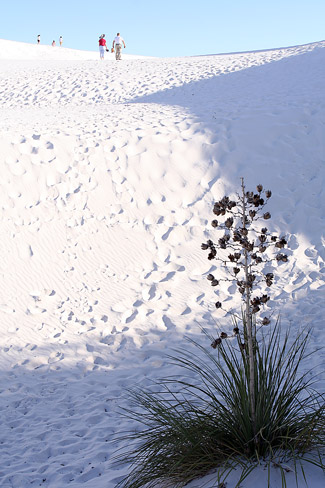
(167, 28)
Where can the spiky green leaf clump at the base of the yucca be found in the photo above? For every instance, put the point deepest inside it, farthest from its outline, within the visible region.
(202, 422)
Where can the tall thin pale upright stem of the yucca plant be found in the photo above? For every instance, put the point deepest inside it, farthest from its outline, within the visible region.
(249, 322)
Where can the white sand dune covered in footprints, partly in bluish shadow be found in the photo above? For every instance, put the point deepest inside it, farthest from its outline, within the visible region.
(108, 174)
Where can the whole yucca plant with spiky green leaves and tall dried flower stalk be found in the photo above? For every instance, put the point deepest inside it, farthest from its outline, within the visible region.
(243, 401)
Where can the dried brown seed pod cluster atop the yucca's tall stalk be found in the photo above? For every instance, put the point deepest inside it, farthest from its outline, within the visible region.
(243, 250)
